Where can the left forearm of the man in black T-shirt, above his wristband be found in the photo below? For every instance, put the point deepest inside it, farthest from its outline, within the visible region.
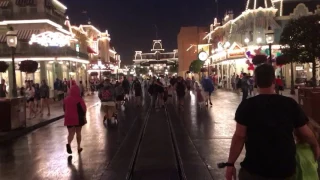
(237, 143)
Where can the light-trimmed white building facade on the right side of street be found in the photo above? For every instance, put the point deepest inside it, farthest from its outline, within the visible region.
(234, 37)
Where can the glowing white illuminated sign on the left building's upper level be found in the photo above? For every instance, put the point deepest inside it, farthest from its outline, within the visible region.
(50, 39)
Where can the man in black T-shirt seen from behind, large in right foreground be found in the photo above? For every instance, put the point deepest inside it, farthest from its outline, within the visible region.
(265, 125)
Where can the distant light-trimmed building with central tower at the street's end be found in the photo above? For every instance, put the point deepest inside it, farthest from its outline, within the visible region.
(158, 61)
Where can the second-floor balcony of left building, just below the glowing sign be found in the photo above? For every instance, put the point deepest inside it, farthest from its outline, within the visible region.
(26, 50)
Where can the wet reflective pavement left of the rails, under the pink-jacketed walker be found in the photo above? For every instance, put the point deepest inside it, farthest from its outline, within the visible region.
(42, 155)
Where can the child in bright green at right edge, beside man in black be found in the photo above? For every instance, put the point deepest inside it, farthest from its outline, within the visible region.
(306, 166)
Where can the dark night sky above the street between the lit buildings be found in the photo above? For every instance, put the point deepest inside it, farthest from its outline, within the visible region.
(131, 23)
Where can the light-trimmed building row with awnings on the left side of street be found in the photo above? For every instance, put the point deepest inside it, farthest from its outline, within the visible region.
(46, 35)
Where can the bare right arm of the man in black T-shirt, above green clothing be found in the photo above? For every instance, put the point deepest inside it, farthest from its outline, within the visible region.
(305, 133)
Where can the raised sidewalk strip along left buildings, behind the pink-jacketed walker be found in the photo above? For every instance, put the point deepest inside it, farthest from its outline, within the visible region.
(57, 113)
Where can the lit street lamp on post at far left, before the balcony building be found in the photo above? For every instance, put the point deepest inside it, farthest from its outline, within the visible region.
(12, 42)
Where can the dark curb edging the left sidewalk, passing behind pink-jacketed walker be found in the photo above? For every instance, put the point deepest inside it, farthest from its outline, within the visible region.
(14, 134)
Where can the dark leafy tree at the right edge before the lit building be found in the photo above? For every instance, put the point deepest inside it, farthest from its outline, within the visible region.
(301, 39)
